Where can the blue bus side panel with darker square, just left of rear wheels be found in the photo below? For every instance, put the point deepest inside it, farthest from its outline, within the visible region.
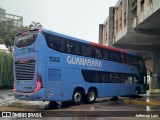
(53, 84)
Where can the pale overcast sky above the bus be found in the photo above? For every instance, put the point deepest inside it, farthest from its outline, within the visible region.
(77, 18)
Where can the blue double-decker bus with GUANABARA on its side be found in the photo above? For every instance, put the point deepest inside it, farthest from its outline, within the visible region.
(49, 66)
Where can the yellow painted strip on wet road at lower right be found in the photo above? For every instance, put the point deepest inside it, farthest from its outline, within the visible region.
(153, 103)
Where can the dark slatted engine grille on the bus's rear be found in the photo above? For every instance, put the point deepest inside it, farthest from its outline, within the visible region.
(25, 71)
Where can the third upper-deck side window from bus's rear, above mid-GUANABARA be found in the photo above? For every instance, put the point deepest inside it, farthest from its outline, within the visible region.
(86, 50)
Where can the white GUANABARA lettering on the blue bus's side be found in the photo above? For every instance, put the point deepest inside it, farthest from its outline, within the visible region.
(84, 61)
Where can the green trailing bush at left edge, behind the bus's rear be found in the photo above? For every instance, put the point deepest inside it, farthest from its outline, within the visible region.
(6, 70)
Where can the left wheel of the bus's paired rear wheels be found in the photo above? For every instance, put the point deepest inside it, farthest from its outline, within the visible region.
(77, 97)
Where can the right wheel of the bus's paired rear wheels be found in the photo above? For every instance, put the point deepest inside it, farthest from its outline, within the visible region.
(91, 96)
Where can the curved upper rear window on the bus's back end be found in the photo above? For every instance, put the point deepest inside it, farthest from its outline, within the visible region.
(25, 39)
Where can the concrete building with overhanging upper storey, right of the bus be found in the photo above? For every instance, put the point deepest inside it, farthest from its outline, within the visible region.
(134, 25)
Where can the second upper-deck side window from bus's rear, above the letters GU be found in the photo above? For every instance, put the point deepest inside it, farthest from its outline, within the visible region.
(72, 47)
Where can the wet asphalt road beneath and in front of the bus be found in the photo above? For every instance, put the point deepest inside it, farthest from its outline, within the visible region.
(146, 107)
